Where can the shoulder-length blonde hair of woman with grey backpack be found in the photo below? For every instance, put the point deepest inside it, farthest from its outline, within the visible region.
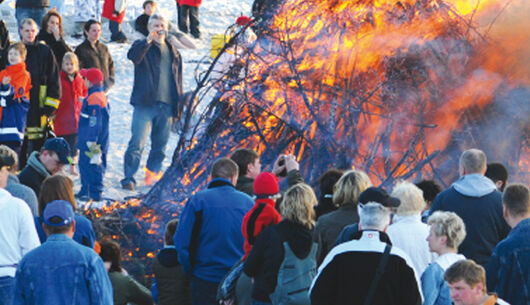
(298, 205)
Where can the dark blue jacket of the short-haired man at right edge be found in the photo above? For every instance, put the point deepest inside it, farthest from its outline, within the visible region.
(508, 272)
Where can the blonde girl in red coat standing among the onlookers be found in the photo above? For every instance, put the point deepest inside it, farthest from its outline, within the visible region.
(67, 115)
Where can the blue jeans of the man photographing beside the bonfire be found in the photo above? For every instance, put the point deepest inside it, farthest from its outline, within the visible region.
(156, 118)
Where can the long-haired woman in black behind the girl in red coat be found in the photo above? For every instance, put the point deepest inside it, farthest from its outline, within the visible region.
(52, 34)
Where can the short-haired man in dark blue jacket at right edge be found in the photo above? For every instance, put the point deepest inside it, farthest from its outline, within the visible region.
(509, 267)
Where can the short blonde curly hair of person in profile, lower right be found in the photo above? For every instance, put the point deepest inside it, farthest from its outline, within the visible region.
(450, 225)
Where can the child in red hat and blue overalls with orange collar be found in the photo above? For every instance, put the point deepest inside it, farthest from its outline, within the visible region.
(93, 135)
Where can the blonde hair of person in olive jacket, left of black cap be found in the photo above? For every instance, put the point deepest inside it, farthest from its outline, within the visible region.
(349, 187)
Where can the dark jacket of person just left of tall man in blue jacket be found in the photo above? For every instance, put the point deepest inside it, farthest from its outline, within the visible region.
(172, 284)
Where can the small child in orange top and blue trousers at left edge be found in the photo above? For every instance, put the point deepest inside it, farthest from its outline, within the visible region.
(14, 97)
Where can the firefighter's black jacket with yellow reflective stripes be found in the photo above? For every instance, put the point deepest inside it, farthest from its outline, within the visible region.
(45, 91)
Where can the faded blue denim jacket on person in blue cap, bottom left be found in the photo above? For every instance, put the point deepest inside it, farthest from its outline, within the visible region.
(62, 272)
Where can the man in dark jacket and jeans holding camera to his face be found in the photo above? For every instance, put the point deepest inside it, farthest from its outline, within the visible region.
(155, 97)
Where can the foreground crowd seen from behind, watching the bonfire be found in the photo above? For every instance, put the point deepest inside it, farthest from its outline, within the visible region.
(245, 240)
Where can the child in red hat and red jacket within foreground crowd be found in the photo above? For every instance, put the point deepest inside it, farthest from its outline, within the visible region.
(263, 213)
